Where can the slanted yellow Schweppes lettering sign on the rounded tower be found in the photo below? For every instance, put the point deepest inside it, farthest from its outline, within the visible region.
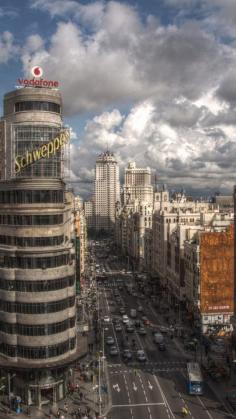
(45, 151)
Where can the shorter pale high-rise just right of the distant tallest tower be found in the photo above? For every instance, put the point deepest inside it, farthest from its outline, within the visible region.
(137, 184)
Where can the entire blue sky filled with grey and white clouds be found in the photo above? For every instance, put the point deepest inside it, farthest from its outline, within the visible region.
(152, 80)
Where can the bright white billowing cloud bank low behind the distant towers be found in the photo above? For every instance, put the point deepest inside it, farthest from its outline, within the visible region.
(196, 158)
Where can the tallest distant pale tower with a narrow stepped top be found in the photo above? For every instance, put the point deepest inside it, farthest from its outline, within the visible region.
(107, 191)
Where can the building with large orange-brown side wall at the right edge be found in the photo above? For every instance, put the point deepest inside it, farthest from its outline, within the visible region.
(209, 277)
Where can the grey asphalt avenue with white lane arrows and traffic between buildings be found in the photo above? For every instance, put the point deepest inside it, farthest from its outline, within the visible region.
(156, 388)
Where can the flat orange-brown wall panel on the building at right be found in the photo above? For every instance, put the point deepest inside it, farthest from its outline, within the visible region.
(217, 271)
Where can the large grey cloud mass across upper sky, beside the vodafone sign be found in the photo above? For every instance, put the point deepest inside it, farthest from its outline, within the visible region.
(123, 59)
